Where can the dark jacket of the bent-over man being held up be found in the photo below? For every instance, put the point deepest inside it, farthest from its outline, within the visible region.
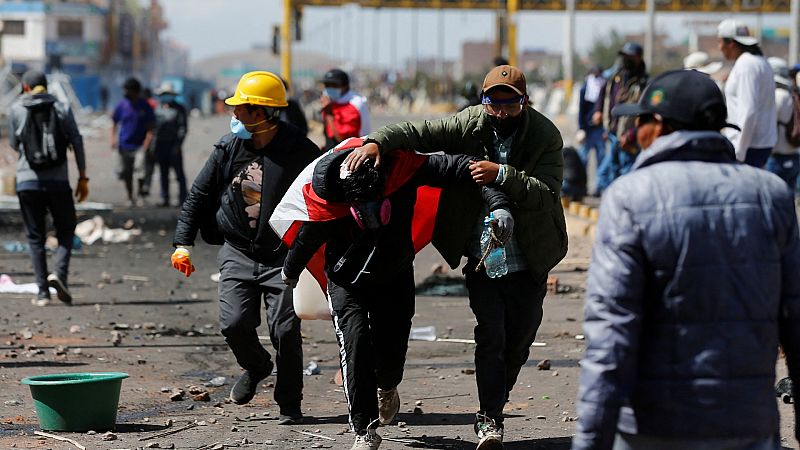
(393, 242)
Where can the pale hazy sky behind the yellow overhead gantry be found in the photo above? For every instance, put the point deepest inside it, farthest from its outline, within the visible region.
(210, 27)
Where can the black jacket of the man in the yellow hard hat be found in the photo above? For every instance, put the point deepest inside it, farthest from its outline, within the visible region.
(212, 194)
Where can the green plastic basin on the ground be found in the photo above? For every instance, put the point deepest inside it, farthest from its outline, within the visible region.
(76, 401)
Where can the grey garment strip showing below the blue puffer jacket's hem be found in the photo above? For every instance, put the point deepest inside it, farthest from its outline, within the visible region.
(640, 442)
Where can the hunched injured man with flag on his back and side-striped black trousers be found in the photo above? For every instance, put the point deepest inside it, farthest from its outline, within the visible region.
(367, 222)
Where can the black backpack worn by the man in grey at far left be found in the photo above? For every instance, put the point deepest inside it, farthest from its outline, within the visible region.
(44, 143)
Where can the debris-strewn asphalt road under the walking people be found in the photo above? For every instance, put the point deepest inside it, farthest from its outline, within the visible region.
(169, 339)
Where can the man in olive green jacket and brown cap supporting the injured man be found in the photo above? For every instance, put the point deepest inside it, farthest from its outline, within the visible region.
(519, 150)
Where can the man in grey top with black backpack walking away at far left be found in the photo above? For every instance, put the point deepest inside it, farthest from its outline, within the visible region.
(40, 130)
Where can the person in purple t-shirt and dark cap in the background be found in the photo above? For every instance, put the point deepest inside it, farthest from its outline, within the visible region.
(134, 120)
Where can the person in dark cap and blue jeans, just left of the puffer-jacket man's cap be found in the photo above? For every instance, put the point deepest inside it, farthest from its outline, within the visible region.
(625, 85)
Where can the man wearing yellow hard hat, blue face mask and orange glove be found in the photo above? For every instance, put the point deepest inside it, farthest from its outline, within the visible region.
(231, 199)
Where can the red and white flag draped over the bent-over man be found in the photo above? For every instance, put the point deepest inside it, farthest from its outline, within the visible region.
(301, 204)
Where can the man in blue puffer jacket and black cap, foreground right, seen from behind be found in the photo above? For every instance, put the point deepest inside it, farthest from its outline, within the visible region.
(692, 286)
